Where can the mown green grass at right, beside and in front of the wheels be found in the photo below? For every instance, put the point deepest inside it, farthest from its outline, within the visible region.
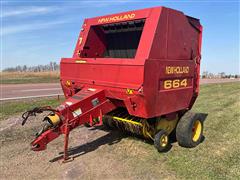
(218, 157)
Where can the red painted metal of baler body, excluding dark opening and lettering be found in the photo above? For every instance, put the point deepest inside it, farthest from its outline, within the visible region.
(169, 38)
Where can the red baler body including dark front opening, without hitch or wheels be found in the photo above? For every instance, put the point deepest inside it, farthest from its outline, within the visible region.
(139, 76)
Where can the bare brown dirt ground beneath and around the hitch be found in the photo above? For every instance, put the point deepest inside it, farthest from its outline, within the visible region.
(98, 154)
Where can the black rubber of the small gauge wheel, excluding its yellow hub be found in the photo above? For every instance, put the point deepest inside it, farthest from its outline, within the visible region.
(157, 145)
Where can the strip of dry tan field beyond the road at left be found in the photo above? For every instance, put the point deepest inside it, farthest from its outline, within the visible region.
(28, 77)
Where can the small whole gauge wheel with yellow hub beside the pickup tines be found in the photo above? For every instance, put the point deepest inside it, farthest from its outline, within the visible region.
(160, 144)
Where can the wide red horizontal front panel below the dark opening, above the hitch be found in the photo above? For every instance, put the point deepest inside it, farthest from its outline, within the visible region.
(103, 75)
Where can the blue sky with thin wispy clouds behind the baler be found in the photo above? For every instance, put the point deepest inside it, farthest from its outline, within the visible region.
(36, 32)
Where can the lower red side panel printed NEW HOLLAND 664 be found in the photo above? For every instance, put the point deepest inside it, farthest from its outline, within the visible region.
(175, 98)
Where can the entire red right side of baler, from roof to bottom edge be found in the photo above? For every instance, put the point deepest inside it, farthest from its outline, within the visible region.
(179, 47)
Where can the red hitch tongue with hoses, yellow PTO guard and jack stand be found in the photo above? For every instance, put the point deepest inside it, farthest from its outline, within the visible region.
(87, 106)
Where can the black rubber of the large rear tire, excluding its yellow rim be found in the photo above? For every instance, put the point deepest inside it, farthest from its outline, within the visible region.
(184, 129)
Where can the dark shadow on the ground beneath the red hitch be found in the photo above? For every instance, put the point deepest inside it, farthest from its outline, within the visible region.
(111, 138)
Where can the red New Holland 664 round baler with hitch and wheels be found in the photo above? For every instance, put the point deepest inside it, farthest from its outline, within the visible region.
(138, 71)
